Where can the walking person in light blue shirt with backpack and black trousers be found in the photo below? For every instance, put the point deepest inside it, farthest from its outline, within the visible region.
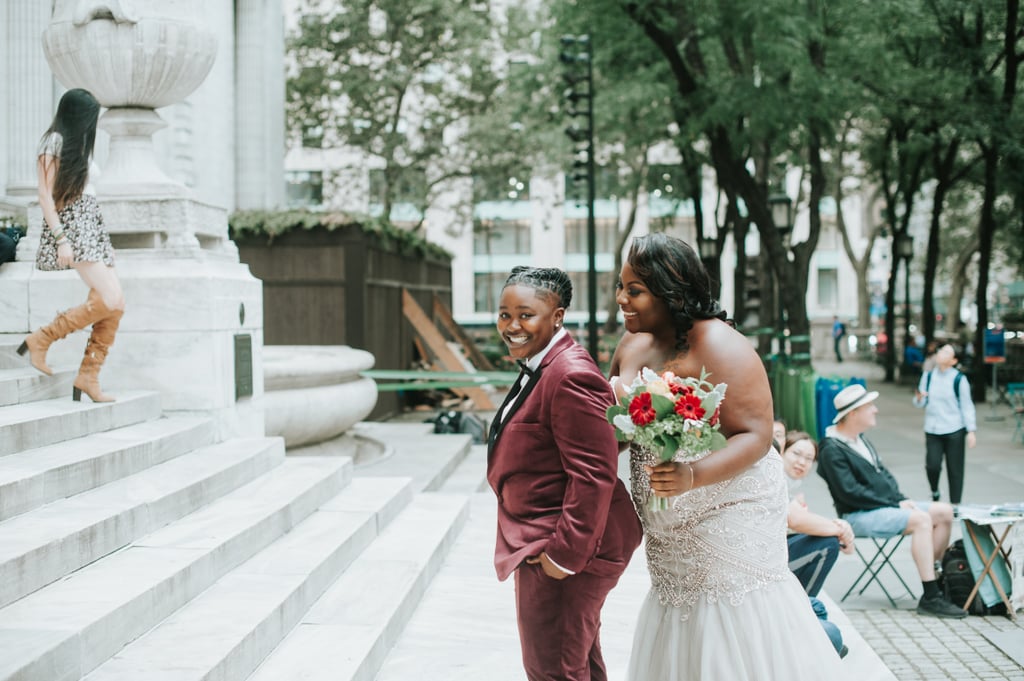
(951, 421)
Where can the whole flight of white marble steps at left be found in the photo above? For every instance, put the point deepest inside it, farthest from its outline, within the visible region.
(136, 546)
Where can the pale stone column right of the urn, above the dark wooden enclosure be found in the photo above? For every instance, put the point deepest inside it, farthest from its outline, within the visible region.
(260, 104)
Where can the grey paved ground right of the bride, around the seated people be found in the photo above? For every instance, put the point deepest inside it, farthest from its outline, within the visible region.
(912, 647)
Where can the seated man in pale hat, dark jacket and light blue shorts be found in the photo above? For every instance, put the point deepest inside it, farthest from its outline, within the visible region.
(868, 497)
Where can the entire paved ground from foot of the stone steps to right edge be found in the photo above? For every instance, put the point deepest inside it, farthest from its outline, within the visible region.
(465, 627)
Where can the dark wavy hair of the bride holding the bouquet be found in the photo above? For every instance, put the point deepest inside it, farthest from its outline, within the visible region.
(672, 272)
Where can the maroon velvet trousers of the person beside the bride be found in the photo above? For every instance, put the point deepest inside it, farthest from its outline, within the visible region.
(560, 624)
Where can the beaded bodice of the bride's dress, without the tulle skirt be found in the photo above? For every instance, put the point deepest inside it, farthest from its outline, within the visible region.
(718, 542)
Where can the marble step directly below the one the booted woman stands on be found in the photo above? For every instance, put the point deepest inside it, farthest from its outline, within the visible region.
(34, 478)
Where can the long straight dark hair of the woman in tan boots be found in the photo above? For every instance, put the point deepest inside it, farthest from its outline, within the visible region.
(76, 122)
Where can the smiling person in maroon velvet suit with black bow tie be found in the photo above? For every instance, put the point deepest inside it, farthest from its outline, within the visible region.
(567, 528)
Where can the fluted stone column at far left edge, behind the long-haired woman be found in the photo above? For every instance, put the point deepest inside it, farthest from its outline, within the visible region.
(28, 93)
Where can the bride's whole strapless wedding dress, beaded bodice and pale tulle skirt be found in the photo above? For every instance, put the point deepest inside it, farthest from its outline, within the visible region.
(723, 605)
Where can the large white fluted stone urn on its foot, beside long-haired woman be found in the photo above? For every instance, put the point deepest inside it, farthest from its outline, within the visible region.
(135, 56)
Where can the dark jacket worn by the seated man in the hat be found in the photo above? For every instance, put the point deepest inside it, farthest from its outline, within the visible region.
(856, 484)
